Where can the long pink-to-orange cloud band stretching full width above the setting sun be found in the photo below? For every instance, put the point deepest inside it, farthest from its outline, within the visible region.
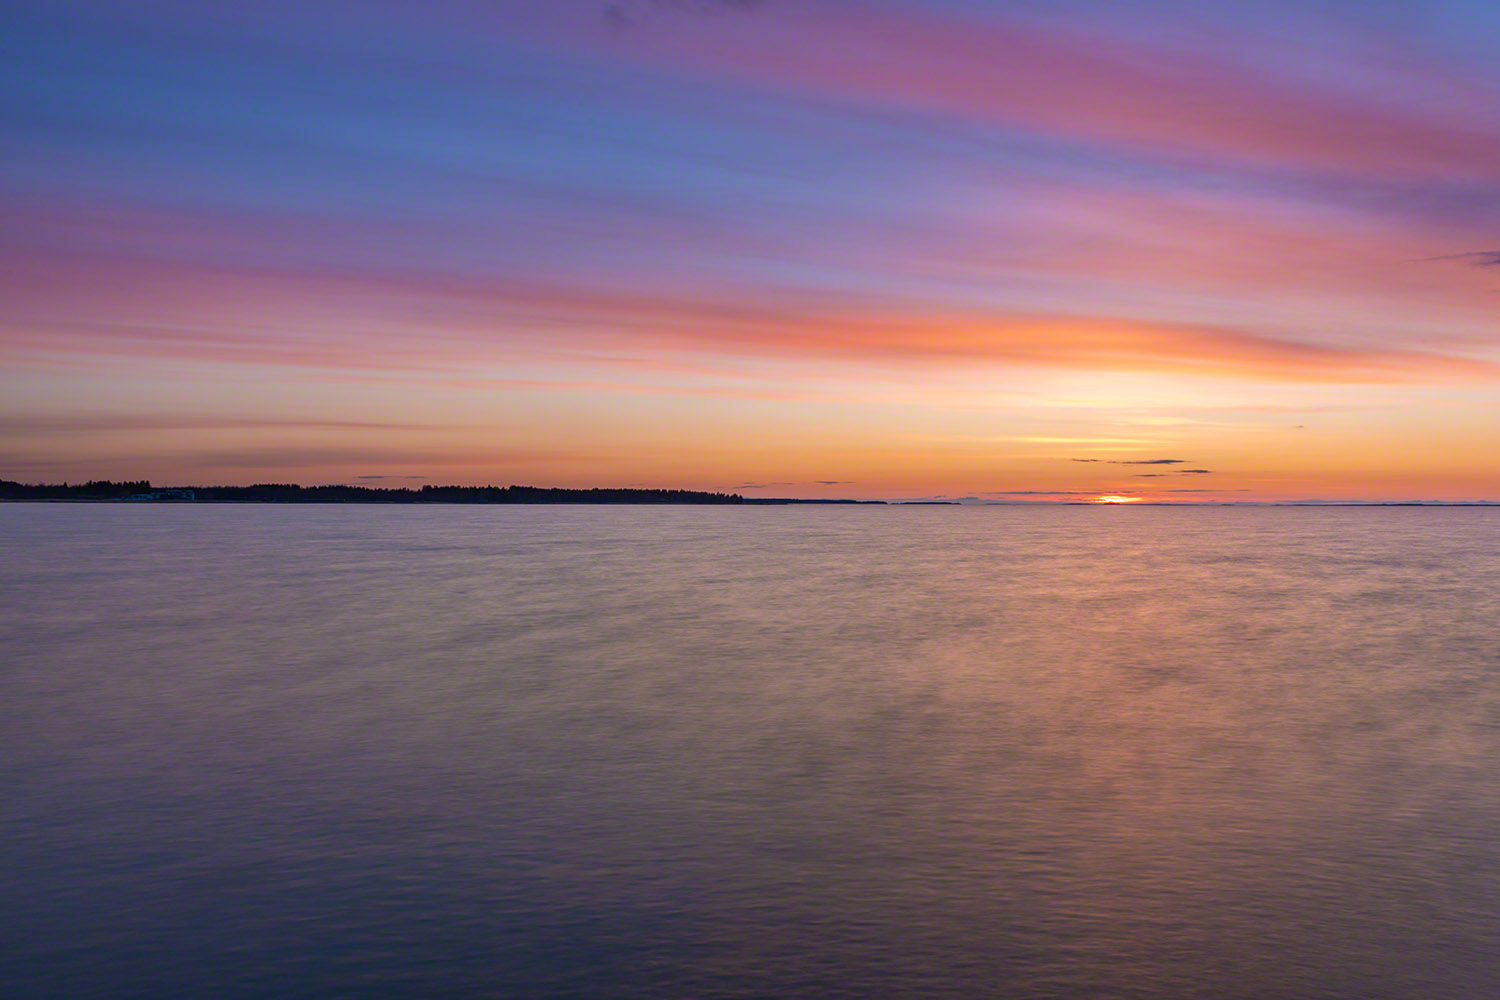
(445, 325)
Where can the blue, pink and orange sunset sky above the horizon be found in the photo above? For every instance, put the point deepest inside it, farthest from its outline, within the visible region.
(785, 248)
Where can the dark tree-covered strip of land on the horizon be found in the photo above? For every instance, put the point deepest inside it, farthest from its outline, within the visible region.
(143, 493)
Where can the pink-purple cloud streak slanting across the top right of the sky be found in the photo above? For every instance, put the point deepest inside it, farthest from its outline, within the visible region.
(1069, 82)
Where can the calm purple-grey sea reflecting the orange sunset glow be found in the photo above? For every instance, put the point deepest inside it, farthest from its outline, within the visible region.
(602, 752)
